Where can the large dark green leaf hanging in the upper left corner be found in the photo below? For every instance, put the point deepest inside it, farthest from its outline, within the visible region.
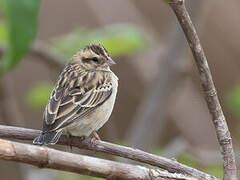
(21, 19)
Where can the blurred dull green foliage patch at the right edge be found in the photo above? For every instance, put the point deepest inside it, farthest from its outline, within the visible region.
(233, 101)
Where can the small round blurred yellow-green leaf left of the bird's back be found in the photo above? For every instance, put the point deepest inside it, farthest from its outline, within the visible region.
(39, 95)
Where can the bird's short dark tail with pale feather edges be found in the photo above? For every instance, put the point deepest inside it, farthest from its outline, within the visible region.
(50, 137)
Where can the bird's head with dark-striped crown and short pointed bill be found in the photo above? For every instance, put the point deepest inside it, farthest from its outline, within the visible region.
(94, 57)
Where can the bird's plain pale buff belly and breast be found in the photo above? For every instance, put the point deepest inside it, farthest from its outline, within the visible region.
(96, 119)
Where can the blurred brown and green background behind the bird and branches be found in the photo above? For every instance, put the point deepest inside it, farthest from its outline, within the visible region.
(160, 107)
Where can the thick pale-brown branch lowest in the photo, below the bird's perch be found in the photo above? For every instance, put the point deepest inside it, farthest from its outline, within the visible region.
(44, 157)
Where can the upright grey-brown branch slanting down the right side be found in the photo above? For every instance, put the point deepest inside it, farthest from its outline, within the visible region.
(218, 118)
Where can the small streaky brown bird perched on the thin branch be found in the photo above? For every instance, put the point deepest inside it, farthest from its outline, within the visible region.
(83, 98)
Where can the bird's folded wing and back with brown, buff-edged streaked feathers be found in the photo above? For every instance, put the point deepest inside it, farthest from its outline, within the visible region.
(75, 99)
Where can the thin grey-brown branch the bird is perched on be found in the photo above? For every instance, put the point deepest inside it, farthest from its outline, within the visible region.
(109, 148)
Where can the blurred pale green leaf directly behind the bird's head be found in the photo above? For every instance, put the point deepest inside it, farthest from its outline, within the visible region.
(118, 39)
